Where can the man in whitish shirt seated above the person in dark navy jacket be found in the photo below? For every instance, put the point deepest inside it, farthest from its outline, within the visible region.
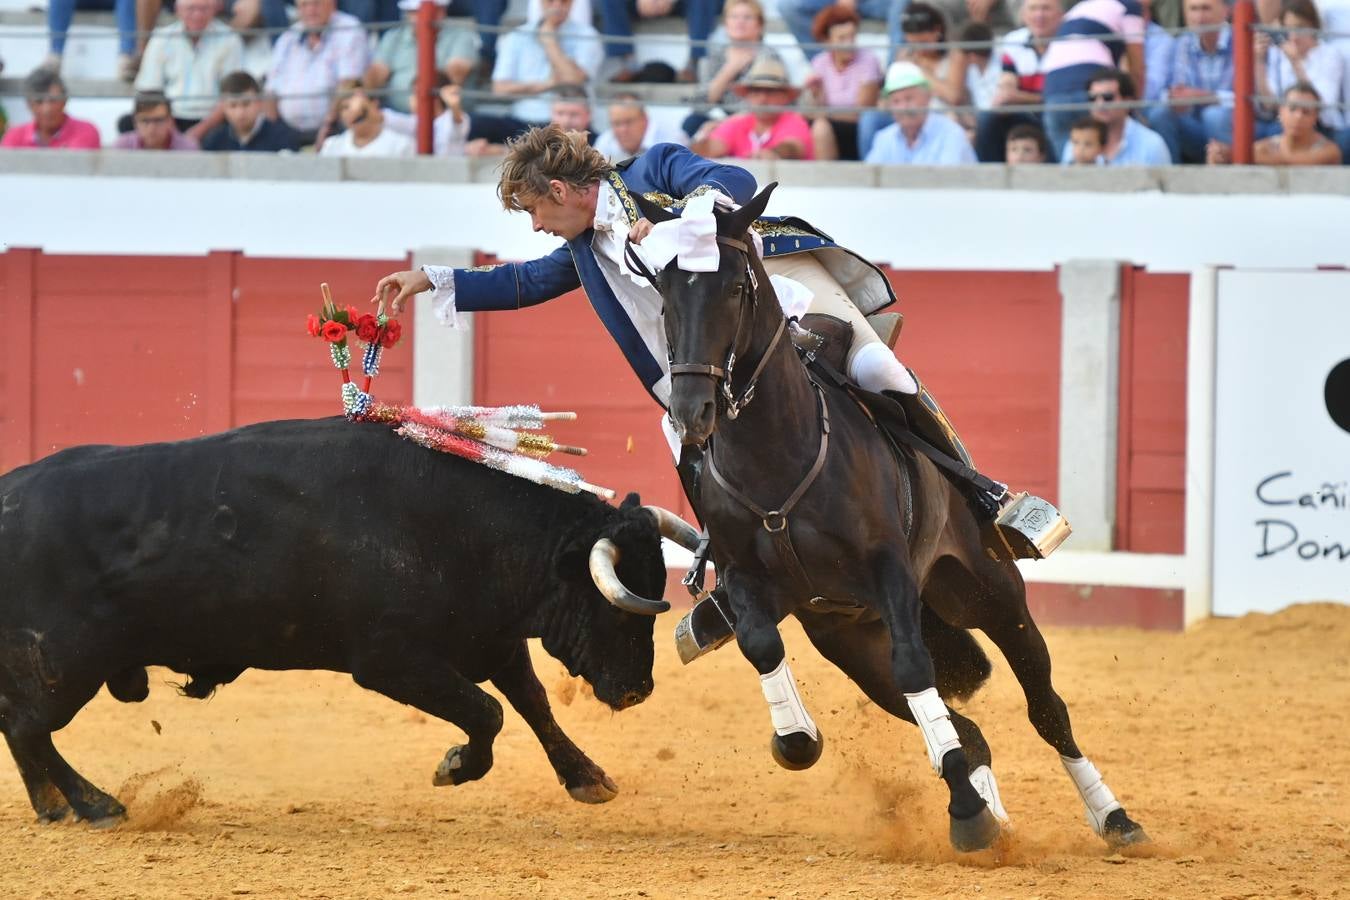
(187, 60)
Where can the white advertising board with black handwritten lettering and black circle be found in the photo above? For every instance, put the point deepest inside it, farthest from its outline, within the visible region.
(1282, 477)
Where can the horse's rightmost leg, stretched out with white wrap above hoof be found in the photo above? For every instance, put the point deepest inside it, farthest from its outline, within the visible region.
(1012, 628)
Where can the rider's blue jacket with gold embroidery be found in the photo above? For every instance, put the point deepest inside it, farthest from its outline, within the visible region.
(668, 175)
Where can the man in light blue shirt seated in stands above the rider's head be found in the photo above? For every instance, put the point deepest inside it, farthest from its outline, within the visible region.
(538, 57)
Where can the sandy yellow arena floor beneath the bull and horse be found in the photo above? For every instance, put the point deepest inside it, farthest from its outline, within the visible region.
(1228, 744)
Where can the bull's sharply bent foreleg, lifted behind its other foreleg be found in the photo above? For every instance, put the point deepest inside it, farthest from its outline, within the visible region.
(435, 687)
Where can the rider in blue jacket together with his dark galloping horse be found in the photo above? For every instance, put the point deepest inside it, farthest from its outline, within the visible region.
(893, 555)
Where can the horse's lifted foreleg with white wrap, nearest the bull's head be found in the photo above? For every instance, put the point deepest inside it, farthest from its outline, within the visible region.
(797, 741)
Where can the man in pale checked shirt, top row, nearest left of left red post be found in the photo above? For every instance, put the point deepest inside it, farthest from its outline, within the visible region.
(323, 53)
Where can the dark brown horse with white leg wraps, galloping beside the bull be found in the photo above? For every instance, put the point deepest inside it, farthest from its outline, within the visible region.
(878, 555)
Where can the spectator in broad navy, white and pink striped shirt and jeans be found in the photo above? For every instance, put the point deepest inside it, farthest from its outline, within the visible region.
(1081, 49)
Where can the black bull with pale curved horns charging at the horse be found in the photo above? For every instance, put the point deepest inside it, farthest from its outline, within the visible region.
(310, 546)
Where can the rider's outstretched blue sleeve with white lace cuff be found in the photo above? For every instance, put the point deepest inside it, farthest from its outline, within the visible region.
(507, 287)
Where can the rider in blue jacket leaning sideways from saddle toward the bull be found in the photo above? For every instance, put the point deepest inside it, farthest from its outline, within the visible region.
(574, 194)
